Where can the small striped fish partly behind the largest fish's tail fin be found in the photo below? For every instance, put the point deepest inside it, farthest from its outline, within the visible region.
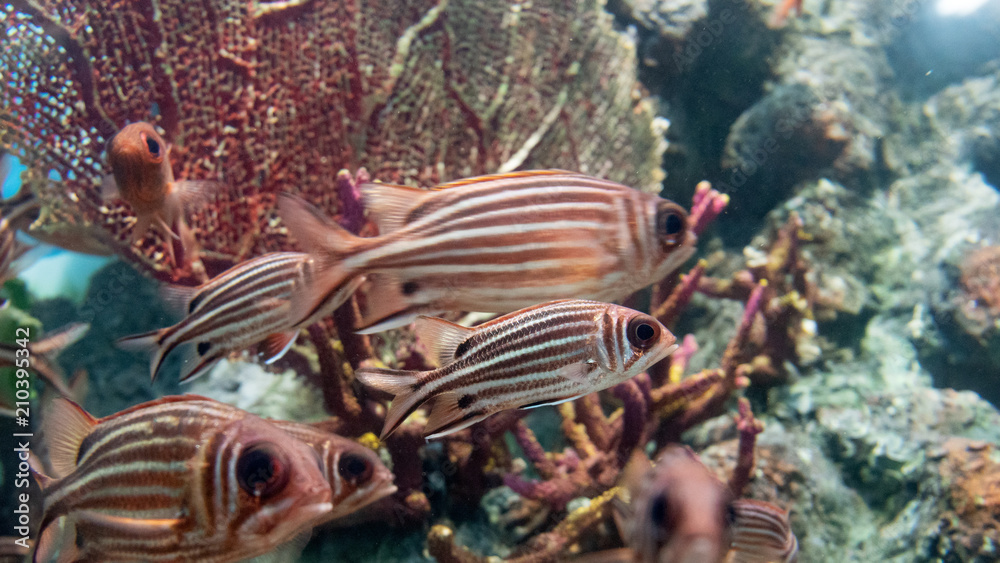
(245, 305)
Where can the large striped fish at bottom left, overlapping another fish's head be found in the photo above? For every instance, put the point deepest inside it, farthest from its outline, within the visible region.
(176, 479)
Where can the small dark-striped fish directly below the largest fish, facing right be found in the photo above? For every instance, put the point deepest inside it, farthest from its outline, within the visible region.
(542, 355)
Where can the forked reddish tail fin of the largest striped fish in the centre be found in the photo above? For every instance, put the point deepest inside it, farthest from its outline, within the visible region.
(330, 282)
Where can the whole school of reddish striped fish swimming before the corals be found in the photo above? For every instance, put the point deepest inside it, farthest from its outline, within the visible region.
(187, 478)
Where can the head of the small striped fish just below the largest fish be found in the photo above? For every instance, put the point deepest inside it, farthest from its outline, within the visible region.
(639, 341)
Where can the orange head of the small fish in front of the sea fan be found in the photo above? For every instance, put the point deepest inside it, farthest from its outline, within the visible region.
(138, 157)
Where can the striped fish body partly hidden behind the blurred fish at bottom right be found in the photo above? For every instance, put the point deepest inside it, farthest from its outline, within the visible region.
(761, 534)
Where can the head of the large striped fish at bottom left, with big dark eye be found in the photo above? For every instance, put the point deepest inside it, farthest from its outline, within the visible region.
(279, 484)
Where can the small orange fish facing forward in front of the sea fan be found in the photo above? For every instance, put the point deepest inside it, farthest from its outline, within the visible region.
(140, 165)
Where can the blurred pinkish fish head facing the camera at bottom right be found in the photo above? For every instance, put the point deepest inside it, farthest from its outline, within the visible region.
(680, 512)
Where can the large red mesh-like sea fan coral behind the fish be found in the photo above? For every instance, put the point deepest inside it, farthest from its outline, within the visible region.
(280, 96)
